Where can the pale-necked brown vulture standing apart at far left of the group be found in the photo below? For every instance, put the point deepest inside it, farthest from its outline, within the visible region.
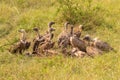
(22, 45)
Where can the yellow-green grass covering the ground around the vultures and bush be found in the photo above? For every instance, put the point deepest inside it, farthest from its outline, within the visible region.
(16, 14)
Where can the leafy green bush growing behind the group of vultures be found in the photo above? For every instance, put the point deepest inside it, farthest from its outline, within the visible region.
(90, 13)
